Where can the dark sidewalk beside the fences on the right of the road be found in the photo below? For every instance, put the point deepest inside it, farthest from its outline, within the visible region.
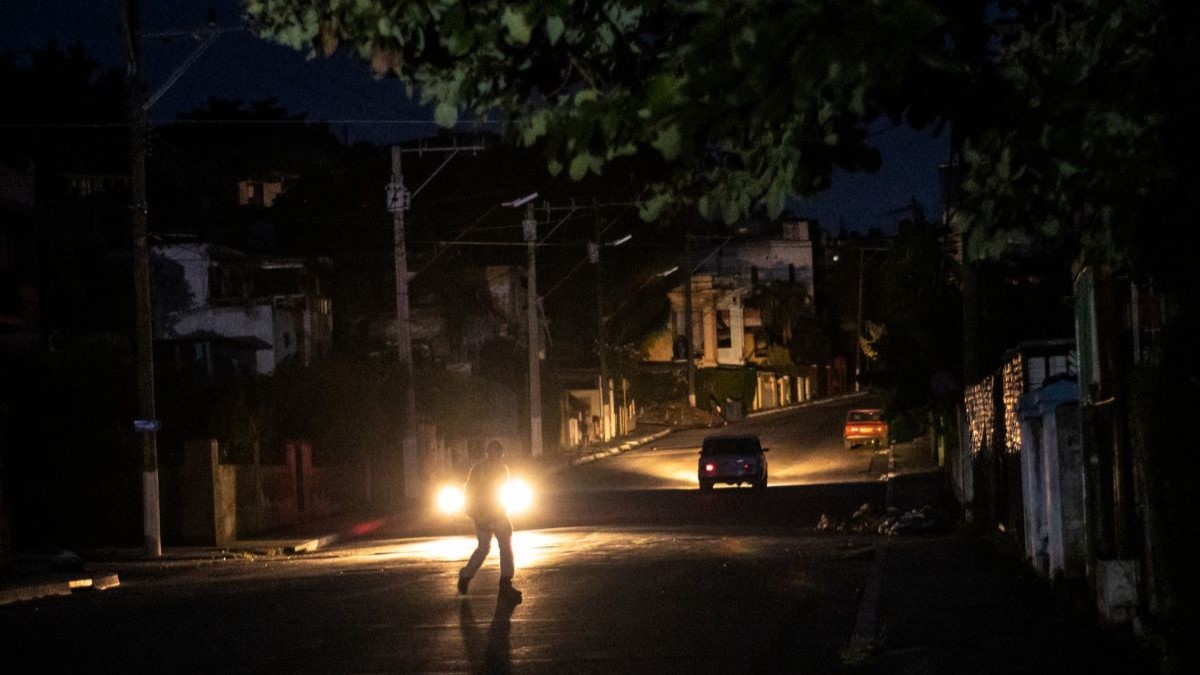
(963, 602)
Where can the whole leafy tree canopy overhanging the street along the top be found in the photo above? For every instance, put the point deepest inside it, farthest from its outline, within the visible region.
(1064, 110)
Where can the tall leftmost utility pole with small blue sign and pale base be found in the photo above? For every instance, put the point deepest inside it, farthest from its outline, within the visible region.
(148, 422)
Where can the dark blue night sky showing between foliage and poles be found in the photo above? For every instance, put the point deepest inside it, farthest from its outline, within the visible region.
(239, 65)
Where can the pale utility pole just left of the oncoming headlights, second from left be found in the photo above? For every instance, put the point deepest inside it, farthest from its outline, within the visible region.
(399, 201)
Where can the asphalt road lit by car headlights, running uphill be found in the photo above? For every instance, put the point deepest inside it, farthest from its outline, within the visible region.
(625, 566)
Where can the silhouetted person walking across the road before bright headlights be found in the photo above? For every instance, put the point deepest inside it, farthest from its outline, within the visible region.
(485, 506)
